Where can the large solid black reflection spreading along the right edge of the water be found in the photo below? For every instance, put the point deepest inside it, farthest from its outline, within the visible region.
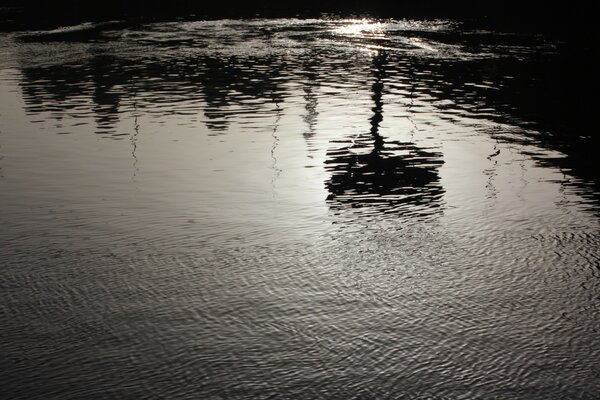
(519, 80)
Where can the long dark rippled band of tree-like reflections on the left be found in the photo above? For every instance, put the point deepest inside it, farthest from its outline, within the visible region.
(222, 88)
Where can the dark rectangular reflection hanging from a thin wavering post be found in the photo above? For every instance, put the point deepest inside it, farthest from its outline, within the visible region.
(395, 176)
